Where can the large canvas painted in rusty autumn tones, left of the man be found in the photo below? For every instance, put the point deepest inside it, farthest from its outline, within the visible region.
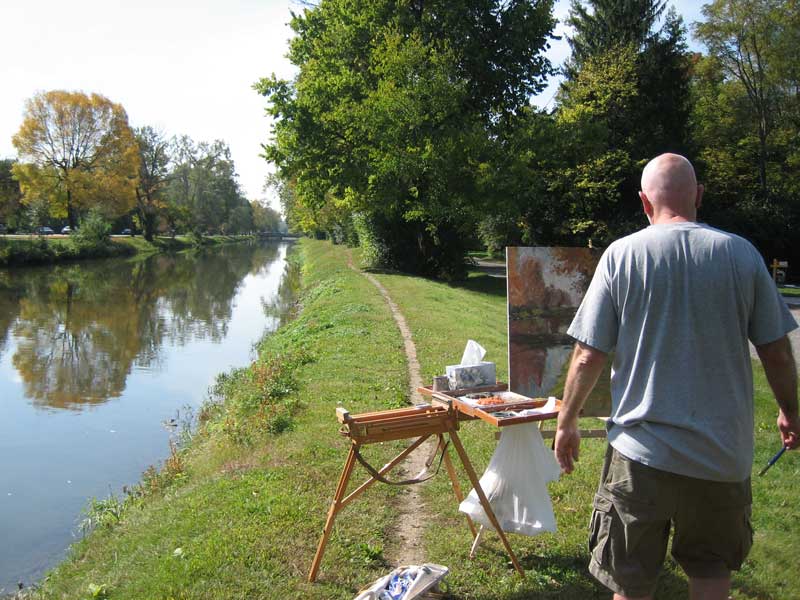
(545, 288)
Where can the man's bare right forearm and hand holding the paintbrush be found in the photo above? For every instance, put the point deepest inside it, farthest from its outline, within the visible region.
(781, 371)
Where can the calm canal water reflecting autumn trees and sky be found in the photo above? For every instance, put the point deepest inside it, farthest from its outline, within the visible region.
(96, 359)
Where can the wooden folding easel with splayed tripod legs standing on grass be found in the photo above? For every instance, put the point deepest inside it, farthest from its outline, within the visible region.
(419, 422)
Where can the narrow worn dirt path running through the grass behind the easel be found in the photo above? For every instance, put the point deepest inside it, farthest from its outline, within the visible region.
(405, 545)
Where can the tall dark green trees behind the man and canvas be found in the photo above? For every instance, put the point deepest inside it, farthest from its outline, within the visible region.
(410, 129)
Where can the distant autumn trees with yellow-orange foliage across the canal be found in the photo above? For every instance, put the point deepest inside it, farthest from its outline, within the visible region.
(78, 154)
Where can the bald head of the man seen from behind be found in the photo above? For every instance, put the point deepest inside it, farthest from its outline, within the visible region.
(669, 189)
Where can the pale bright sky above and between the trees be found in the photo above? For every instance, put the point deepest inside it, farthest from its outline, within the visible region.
(185, 67)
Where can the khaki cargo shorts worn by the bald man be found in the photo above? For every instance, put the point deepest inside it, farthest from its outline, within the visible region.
(634, 509)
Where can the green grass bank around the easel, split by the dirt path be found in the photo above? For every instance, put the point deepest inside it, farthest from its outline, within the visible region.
(237, 513)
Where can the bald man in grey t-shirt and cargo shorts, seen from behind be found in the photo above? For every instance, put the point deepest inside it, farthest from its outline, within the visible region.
(677, 303)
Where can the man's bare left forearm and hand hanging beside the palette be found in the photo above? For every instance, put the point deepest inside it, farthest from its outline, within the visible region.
(584, 370)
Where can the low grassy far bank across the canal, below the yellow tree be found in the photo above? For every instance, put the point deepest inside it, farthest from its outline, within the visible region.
(30, 250)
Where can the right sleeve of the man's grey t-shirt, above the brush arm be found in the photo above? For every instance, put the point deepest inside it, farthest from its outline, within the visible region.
(770, 318)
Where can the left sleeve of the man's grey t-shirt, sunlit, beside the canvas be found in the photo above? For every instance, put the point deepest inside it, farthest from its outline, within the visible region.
(596, 323)
